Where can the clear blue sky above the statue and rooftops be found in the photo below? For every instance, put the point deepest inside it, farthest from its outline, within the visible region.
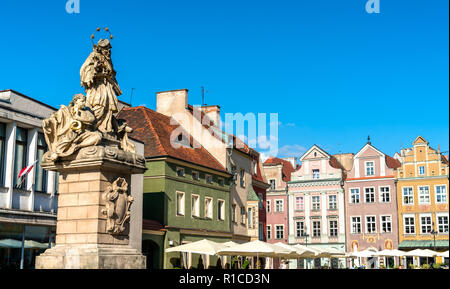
(334, 73)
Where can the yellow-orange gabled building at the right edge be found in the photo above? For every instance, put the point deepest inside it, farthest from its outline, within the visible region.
(422, 197)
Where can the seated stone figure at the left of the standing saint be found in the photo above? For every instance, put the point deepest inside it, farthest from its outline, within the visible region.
(70, 129)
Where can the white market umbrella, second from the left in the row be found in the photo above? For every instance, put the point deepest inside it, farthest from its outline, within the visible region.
(255, 248)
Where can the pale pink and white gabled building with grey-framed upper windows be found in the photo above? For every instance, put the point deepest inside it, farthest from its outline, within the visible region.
(316, 204)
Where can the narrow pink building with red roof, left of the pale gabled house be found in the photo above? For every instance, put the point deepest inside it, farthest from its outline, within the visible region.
(278, 173)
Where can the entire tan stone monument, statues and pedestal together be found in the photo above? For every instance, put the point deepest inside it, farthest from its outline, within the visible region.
(90, 149)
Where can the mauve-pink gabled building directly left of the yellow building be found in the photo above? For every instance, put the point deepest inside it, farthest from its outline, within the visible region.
(370, 201)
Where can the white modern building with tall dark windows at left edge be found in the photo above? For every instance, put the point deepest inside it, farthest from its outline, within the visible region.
(30, 206)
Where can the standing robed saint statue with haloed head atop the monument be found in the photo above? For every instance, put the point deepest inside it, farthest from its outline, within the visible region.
(99, 80)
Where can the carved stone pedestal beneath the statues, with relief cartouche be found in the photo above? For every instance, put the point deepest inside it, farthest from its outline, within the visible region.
(92, 230)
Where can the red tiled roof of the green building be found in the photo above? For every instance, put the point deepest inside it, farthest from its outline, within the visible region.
(154, 130)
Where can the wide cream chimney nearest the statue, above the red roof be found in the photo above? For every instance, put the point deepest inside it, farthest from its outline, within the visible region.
(171, 102)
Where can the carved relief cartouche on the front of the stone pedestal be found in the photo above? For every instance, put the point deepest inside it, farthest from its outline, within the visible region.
(118, 202)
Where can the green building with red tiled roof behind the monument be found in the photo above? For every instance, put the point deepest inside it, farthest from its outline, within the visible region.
(186, 192)
